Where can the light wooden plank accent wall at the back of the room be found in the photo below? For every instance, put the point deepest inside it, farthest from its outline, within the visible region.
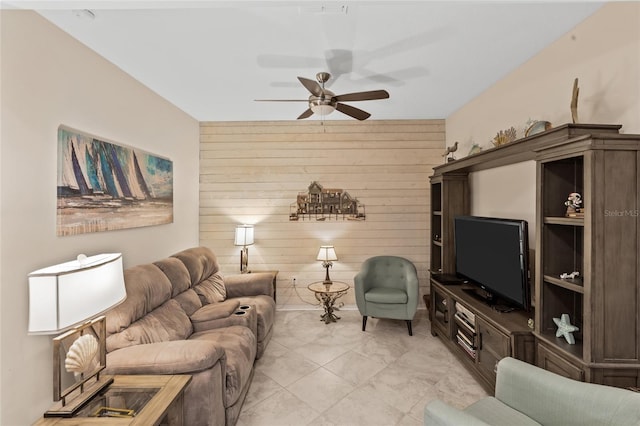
(252, 172)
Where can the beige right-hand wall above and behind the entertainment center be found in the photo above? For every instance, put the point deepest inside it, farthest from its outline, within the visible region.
(602, 52)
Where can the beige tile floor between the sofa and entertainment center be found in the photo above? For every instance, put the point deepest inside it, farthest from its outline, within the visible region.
(320, 374)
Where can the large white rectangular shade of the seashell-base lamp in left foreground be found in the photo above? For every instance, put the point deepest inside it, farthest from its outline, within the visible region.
(70, 293)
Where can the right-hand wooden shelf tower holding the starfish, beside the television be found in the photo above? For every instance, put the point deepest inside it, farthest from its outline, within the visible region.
(604, 247)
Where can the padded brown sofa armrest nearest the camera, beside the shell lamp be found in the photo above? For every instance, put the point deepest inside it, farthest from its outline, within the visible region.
(174, 357)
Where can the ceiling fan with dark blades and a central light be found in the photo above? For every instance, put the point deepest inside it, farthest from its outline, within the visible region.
(323, 101)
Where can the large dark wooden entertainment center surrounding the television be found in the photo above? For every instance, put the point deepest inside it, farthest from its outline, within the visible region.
(603, 245)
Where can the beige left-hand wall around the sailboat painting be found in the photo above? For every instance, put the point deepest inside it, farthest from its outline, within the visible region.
(48, 79)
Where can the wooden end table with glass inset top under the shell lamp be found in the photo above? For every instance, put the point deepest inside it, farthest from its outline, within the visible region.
(153, 398)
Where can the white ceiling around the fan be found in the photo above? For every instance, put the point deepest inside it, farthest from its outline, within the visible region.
(213, 58)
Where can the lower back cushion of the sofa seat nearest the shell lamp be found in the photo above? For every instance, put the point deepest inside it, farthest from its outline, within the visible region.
(166, 323)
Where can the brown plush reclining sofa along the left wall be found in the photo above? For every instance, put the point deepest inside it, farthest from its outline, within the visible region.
(181, 316)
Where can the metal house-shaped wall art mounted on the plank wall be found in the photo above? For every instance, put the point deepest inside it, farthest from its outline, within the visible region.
(321, 203)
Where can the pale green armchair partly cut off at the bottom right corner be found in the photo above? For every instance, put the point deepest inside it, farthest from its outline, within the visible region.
(528, 395)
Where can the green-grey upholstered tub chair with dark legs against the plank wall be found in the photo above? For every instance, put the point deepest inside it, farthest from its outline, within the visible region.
(387, 287)
